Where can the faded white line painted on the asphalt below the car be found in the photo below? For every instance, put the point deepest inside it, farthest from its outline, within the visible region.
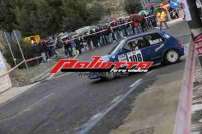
(91, 123)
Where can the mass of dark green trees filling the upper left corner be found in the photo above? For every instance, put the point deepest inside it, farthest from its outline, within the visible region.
(47, 17)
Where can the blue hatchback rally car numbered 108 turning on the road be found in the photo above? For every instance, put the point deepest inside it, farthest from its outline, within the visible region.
(156, 46)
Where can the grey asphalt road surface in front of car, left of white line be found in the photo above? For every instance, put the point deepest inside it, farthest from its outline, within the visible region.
(65, 104)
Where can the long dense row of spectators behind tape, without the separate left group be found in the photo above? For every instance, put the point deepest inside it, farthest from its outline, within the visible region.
(106, 34)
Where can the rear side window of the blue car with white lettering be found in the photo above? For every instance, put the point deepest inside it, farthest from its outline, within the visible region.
(154, 38)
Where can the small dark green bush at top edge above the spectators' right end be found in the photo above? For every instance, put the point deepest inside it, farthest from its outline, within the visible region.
(133, 6)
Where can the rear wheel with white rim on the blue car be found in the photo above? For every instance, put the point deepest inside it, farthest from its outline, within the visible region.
(171, 57)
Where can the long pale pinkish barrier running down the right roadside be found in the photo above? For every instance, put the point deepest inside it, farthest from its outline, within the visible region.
(183, 115)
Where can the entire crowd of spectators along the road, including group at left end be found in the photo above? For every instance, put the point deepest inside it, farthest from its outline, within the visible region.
(98, 36)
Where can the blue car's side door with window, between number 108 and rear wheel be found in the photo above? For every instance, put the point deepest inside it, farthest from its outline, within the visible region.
(154, 44)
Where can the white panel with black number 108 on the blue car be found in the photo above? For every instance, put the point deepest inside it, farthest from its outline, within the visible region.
(135, 56)
